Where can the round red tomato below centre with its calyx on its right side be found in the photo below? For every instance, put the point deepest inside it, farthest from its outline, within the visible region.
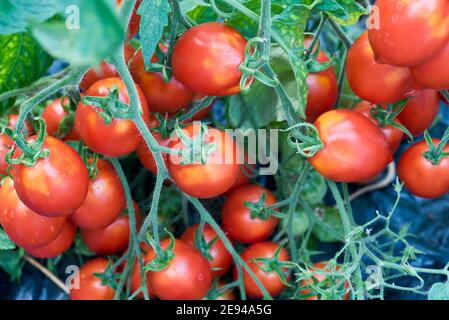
(237, 220)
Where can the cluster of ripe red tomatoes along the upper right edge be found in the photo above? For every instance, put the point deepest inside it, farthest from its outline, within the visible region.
(402, 58)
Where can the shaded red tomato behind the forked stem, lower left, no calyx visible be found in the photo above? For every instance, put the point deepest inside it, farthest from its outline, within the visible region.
(114, 238)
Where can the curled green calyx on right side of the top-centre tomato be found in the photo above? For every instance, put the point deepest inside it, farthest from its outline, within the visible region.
(255, 58)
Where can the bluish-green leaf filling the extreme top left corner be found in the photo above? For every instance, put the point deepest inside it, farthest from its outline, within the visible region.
(17, 15)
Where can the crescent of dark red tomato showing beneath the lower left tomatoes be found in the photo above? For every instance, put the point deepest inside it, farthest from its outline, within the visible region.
(58, 246)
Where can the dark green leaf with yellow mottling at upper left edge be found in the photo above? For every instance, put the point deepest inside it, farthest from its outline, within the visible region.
(22, 61)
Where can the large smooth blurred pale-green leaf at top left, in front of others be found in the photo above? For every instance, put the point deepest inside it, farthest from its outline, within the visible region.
(84, 34)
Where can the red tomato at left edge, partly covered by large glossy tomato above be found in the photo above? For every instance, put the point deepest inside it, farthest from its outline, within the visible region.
(25, 227)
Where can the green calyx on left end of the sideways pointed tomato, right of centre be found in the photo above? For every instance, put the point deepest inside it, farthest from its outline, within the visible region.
(305, 138)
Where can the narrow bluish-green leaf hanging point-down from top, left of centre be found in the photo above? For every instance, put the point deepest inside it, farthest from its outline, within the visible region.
(154, 19)
